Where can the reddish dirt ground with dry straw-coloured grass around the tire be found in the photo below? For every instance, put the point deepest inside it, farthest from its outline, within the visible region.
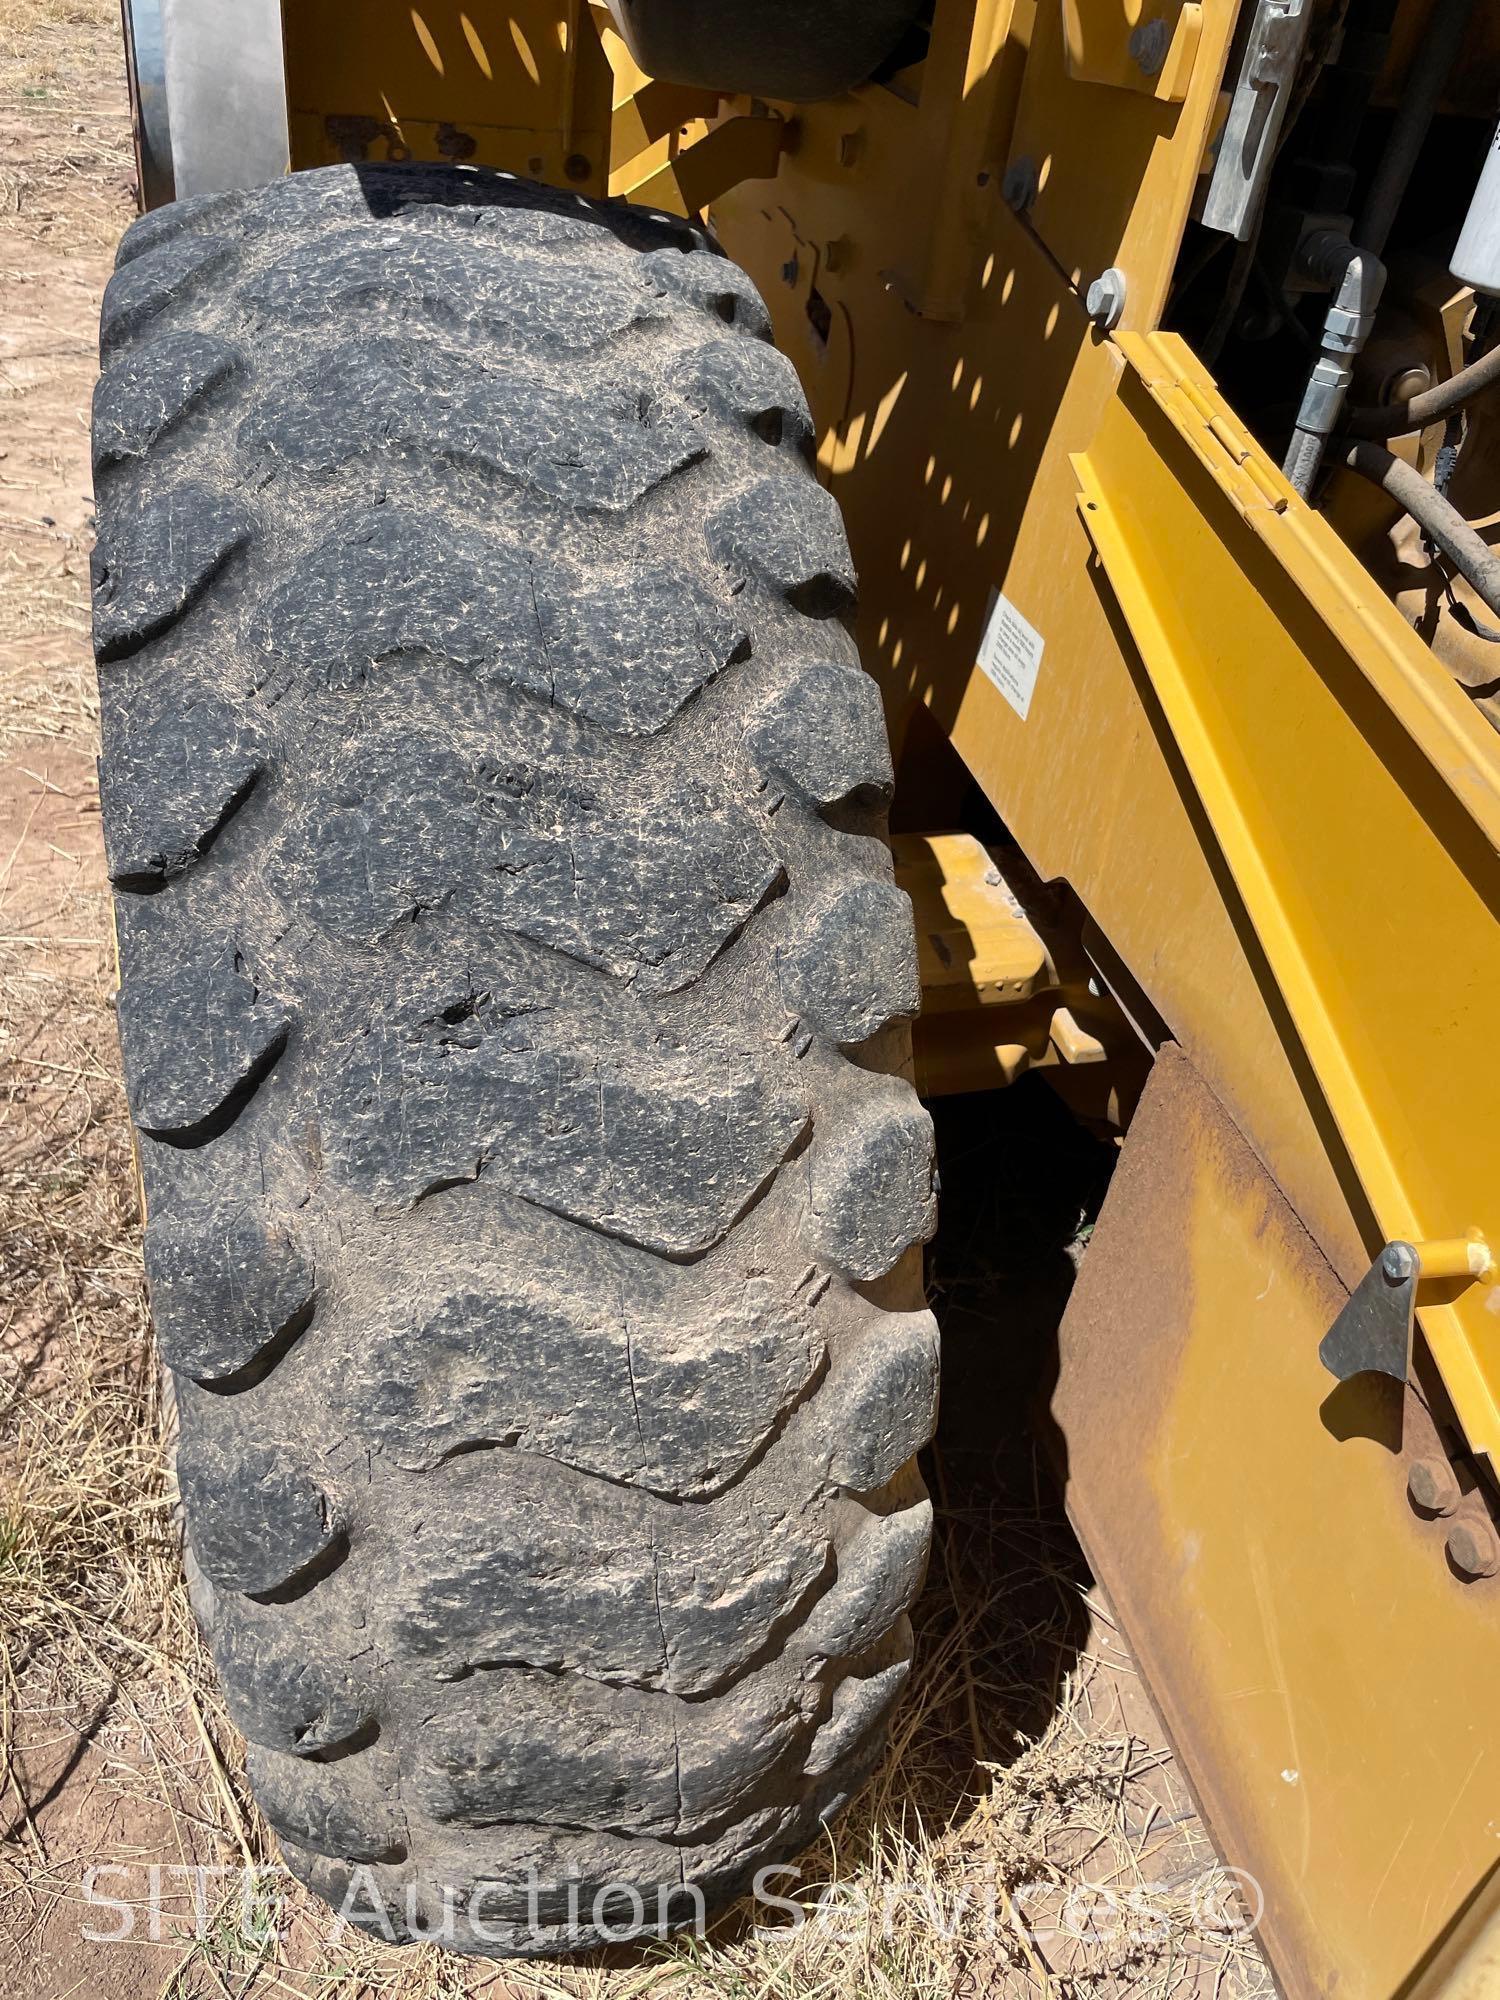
(1027, 1835)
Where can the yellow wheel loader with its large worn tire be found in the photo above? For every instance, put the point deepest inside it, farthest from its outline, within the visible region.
(677, 579)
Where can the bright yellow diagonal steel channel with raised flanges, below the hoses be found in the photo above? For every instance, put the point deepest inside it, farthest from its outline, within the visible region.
(1355, 795)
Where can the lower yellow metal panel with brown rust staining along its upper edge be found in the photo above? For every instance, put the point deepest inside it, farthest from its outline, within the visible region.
(1323, 1673)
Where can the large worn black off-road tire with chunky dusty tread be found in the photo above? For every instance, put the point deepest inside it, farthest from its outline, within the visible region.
(511, 1005)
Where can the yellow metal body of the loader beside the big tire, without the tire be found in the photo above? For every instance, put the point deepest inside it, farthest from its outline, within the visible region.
(1275, 809)
